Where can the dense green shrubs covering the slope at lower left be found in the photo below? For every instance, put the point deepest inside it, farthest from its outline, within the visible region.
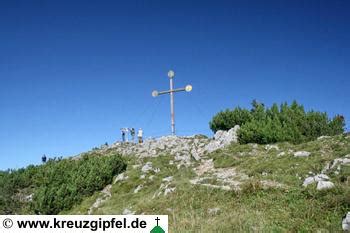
(57, 185)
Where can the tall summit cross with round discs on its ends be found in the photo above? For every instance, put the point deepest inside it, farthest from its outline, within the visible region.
(171, 91)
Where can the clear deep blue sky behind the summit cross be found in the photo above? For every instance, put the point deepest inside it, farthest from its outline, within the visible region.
(73, 72)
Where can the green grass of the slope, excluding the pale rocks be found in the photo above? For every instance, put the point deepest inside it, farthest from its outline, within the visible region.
(254, 208)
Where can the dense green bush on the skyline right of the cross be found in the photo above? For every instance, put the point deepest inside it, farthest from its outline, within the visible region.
(276, 124)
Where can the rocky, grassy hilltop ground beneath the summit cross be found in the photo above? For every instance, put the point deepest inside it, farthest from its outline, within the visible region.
(216, 180)
